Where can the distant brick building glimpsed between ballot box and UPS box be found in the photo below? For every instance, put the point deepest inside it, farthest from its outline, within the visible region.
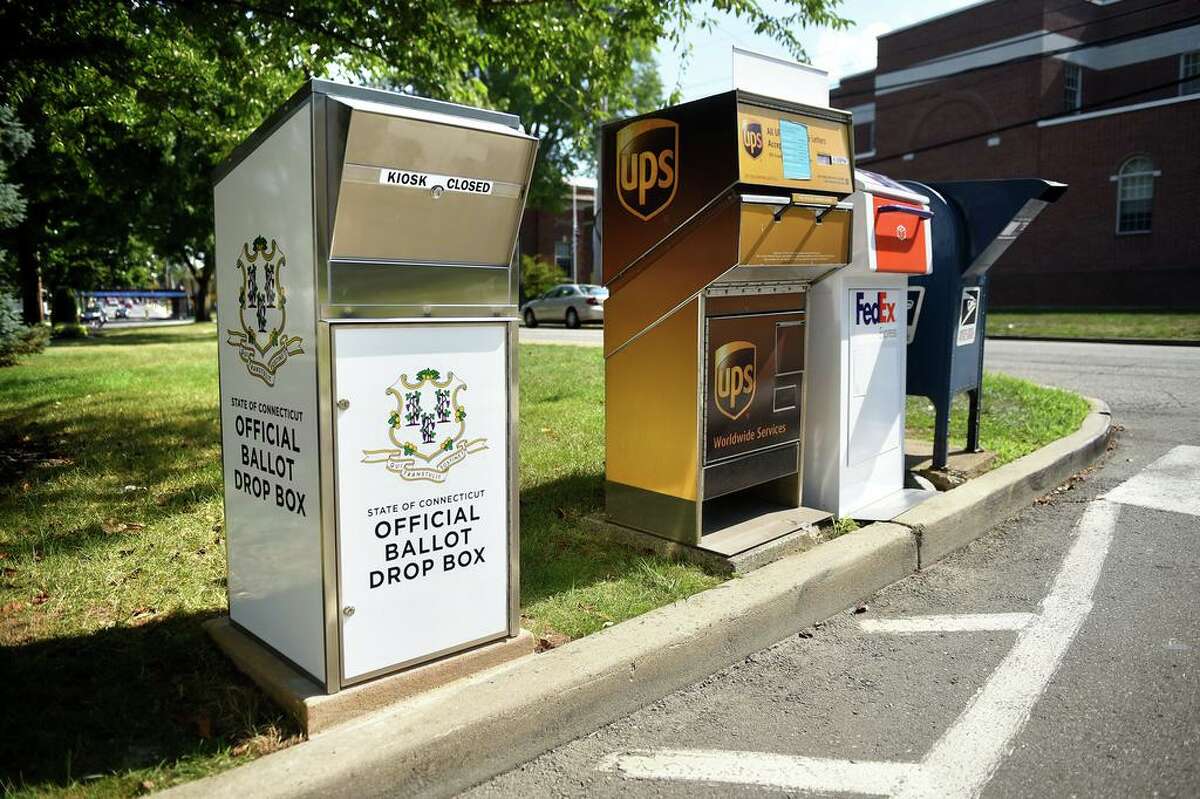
(548, 236)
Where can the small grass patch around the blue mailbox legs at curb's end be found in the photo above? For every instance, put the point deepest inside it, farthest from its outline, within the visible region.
(1017, 417)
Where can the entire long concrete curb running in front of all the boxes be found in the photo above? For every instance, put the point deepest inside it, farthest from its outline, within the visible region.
(443, 742)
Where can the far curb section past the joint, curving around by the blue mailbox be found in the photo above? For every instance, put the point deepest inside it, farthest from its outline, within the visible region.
(953, 520)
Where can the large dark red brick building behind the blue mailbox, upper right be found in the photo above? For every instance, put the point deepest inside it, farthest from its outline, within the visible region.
(1097, 94)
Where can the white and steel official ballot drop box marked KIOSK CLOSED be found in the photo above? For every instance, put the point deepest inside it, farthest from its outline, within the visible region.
(368, 319)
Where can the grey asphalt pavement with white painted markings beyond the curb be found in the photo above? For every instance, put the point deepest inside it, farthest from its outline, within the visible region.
(1085, 680)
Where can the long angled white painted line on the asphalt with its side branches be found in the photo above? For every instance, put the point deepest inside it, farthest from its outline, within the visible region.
(965, 758)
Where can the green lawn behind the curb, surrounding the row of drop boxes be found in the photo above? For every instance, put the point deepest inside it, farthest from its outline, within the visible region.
(113, 552)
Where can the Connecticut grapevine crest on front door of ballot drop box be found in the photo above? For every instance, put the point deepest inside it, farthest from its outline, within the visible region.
(429, 428)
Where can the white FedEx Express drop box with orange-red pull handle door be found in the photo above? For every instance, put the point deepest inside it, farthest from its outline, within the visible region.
(854, 454)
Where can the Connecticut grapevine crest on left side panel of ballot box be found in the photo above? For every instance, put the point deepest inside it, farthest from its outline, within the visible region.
(263, 344)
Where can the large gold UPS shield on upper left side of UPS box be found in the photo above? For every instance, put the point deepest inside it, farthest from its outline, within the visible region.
(647, 166)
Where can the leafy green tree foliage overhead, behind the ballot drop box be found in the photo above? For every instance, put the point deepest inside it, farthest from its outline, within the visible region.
(133, 104)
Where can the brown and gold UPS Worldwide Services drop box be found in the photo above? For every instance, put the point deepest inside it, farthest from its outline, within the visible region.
(717, 217)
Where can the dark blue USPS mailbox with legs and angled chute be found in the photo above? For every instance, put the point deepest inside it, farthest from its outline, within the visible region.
(976, 221)
